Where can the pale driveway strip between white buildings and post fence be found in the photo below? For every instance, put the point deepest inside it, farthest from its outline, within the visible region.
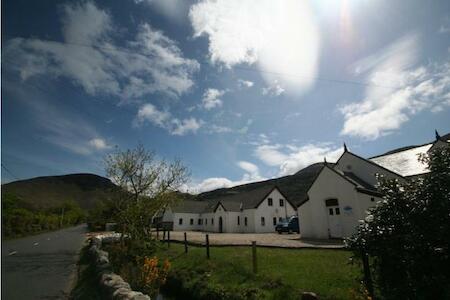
(262, 239)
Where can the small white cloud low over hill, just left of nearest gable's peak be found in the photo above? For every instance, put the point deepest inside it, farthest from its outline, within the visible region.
(291, 158)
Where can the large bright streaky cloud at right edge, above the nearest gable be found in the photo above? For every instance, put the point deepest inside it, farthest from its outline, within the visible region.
(398, 90)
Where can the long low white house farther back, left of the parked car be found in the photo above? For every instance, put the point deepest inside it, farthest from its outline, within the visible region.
(256, 210)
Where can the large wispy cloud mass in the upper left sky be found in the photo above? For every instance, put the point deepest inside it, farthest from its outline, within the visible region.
(89, 57)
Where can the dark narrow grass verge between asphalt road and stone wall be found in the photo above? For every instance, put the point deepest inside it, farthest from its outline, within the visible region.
(87, 282)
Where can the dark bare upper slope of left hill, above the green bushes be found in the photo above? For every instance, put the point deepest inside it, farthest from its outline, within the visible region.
(42, 193)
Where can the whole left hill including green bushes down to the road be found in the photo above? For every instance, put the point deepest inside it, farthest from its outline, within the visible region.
(48, 203)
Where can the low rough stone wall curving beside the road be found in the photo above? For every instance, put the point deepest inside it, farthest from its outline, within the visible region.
(112, 285)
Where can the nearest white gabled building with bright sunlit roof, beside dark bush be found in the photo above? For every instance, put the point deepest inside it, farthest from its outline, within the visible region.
(342, 192)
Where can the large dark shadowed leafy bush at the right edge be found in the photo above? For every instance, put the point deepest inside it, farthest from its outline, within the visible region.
(407, 235)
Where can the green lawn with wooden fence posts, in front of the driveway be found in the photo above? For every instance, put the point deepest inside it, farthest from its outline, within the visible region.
(282, 273)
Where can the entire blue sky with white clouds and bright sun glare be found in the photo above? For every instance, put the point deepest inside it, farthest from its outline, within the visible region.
(238, 90)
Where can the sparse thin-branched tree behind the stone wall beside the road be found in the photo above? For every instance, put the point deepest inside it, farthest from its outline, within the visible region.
(147, 186)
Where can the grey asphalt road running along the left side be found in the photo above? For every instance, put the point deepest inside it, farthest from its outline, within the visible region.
(41, 266)
